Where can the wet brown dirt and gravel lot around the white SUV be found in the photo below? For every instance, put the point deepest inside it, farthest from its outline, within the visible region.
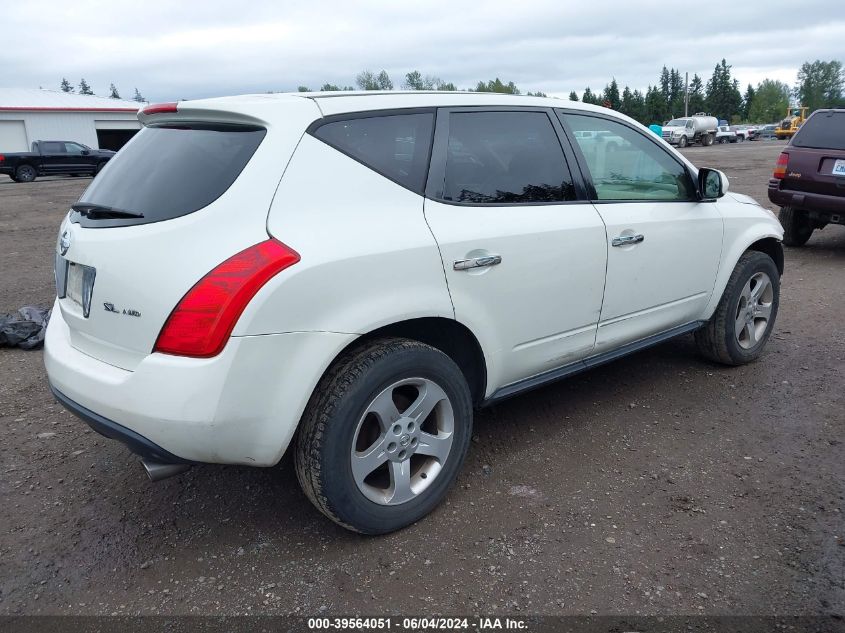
(658, 484)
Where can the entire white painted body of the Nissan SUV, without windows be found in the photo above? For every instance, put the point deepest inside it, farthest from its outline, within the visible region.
(372, 254)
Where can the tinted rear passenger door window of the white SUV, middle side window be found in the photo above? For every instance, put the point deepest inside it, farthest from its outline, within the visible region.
(505, 157)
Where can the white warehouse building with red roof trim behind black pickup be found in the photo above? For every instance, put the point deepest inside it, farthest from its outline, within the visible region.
(28, 115)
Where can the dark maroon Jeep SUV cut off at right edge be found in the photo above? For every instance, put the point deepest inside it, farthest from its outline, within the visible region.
(809, 179)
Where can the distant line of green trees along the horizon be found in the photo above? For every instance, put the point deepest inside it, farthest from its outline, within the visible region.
(821, 84)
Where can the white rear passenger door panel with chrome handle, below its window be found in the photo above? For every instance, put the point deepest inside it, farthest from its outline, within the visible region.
(523, 310)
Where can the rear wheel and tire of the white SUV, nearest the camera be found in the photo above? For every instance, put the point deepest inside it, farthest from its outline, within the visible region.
(384, 435)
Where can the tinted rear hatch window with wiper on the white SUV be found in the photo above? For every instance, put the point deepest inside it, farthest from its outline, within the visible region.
(166, 172)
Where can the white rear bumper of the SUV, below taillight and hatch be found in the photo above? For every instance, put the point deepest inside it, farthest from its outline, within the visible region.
(240, 407)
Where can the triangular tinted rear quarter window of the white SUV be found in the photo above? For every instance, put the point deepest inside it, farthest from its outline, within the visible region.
(396, 146)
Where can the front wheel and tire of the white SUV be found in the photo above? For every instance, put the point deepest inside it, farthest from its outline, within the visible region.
(742, 323)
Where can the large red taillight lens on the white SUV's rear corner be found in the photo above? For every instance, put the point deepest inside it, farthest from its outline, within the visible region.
(201, 323)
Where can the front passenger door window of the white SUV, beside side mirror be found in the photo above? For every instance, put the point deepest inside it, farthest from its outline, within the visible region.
(626, 165)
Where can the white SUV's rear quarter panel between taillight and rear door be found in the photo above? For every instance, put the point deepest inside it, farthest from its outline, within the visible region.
(368, 258)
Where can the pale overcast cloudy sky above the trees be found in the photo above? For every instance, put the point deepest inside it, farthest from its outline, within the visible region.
(198, 48)
